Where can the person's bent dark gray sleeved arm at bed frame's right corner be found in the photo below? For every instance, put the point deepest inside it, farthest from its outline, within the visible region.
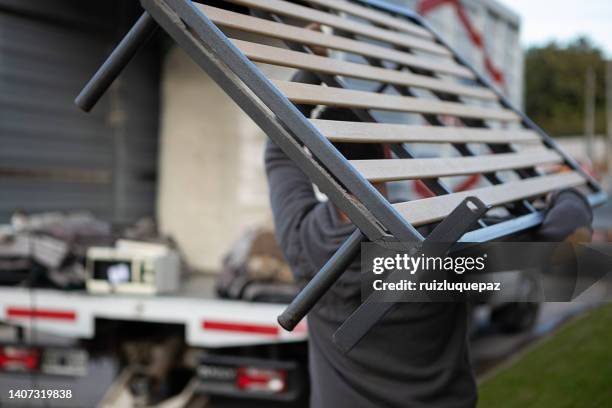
(568, 218)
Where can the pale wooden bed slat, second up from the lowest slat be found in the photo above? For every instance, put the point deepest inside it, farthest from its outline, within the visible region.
(411, 169)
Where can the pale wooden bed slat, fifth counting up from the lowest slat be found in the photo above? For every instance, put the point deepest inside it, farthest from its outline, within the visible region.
(299, 60)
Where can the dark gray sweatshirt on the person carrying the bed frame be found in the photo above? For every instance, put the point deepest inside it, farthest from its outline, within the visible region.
(416, 357)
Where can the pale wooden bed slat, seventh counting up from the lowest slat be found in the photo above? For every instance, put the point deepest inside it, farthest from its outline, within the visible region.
(311, 15)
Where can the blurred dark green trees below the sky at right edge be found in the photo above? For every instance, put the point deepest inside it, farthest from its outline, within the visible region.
(555, 86)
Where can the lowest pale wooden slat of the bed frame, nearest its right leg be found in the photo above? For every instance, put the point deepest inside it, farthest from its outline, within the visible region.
(428, 210)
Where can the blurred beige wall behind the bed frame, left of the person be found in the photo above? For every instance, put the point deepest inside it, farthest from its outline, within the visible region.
(212, 183)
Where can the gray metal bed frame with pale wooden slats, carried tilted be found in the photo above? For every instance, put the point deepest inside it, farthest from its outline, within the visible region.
(400, 51)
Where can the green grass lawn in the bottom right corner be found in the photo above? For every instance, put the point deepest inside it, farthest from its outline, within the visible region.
(573, 368)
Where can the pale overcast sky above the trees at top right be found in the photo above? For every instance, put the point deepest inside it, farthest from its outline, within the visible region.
(562, 20)
